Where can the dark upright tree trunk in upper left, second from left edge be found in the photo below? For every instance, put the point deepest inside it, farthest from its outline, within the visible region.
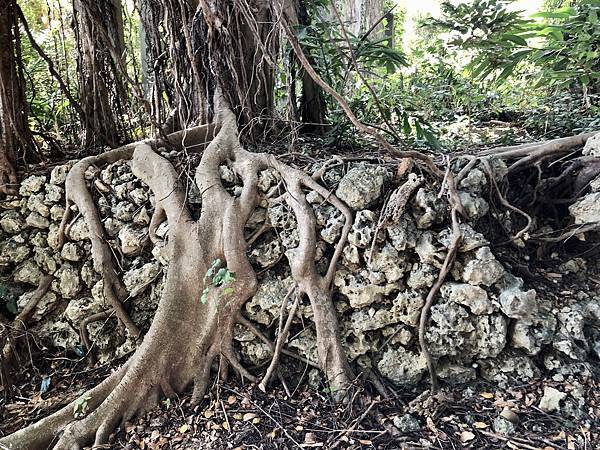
(98, 28)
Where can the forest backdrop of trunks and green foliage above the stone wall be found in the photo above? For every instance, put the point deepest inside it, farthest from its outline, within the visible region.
(78, 76)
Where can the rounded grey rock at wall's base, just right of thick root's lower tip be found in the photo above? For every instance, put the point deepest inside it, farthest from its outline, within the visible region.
(402, 367)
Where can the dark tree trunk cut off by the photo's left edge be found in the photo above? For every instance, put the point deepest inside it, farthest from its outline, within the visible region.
(15, 138)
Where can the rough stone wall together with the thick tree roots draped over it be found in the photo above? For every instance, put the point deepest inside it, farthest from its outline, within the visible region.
(245, 240)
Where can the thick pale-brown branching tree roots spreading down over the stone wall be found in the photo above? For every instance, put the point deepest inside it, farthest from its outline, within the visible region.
(187, 335)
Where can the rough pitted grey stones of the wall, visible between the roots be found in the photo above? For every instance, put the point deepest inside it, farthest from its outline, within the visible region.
(485, 322)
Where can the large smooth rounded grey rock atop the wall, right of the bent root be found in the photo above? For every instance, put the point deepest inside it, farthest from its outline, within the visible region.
(362, 186)
